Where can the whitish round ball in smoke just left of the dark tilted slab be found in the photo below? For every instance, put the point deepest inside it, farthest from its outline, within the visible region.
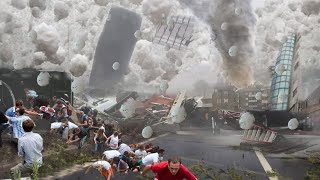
(78, 65)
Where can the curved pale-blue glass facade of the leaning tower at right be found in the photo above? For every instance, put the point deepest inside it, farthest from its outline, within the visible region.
(280, 86)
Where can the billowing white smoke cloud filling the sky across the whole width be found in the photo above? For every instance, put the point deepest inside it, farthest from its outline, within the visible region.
(32, 36)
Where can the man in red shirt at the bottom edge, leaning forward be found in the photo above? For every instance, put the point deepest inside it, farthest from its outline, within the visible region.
(170, 170)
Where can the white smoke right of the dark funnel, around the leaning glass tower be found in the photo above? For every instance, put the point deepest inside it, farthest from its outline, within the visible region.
(275, 21)
